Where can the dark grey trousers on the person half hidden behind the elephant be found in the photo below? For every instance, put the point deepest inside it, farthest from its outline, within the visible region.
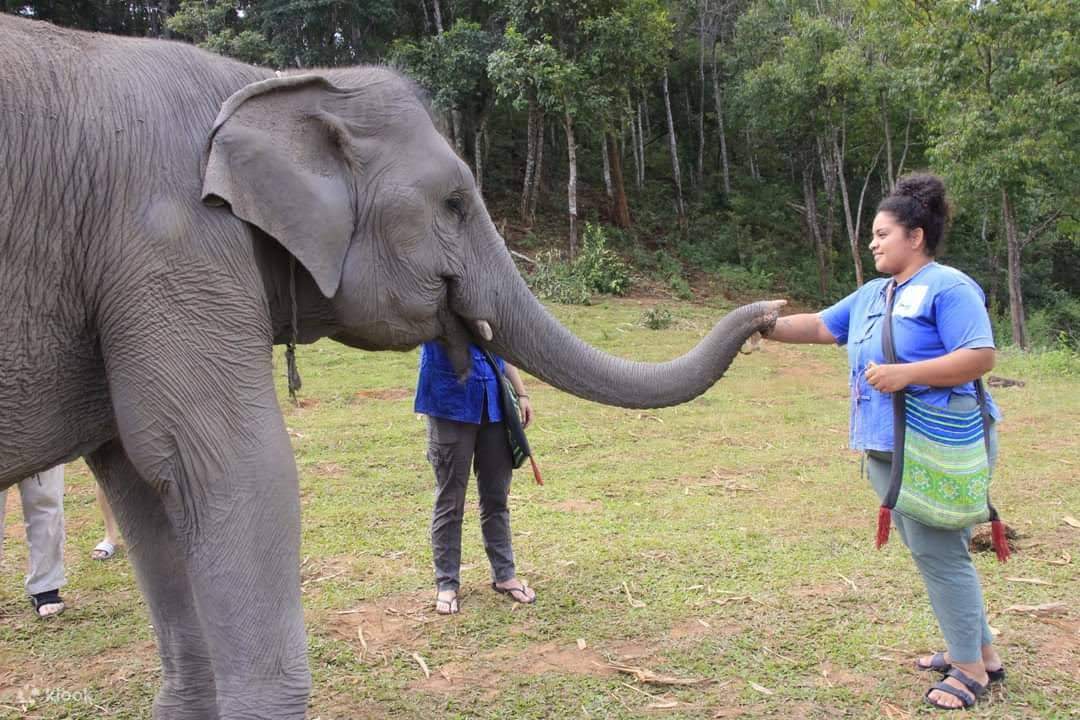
(453, 447)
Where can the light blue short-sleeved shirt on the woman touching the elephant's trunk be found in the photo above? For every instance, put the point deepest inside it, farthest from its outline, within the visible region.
(937, 311)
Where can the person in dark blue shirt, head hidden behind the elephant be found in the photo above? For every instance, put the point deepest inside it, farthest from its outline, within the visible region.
(466, 430)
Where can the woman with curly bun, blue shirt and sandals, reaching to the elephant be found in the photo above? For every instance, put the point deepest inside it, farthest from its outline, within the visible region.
(943, 339)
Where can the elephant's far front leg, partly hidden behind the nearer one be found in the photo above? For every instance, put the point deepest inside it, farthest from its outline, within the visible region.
(187, 690)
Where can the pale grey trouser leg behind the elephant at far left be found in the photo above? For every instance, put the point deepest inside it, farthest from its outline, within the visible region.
(43, 497)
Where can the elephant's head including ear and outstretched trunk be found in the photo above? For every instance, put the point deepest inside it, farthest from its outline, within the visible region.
(348, 173)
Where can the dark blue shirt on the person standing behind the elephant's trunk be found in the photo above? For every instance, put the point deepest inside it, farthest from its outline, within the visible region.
(440, 395)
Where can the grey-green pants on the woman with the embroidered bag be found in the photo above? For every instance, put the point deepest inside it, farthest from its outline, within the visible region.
(946, 564)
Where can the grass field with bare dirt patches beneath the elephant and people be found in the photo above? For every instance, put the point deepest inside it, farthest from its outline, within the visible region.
(726, 544)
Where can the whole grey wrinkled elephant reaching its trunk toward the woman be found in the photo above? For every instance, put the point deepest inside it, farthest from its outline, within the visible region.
(146, 251)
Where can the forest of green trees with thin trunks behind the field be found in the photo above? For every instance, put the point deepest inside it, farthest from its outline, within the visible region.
(737, 145)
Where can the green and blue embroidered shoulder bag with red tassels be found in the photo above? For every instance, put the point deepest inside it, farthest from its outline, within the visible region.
(941, 471)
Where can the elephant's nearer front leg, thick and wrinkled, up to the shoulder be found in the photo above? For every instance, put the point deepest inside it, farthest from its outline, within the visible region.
(198, 415)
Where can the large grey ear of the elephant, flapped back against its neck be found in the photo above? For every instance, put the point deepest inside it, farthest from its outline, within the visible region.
(283, 165)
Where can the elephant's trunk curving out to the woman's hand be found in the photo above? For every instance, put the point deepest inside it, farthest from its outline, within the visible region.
(528, 335)
